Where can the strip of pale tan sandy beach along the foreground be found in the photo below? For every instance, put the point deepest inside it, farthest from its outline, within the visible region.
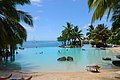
(110, 74)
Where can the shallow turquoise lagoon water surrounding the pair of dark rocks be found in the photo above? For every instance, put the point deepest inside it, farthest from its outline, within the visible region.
(44, 58)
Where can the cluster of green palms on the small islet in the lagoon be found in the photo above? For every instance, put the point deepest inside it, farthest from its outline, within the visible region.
(70, 34)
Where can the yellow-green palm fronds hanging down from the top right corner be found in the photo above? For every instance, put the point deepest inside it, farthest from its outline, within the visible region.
(101, 6)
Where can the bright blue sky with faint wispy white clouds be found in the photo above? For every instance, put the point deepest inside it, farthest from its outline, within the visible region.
(49, 17)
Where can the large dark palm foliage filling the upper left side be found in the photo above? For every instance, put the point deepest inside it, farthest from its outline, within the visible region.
(11, 31)
